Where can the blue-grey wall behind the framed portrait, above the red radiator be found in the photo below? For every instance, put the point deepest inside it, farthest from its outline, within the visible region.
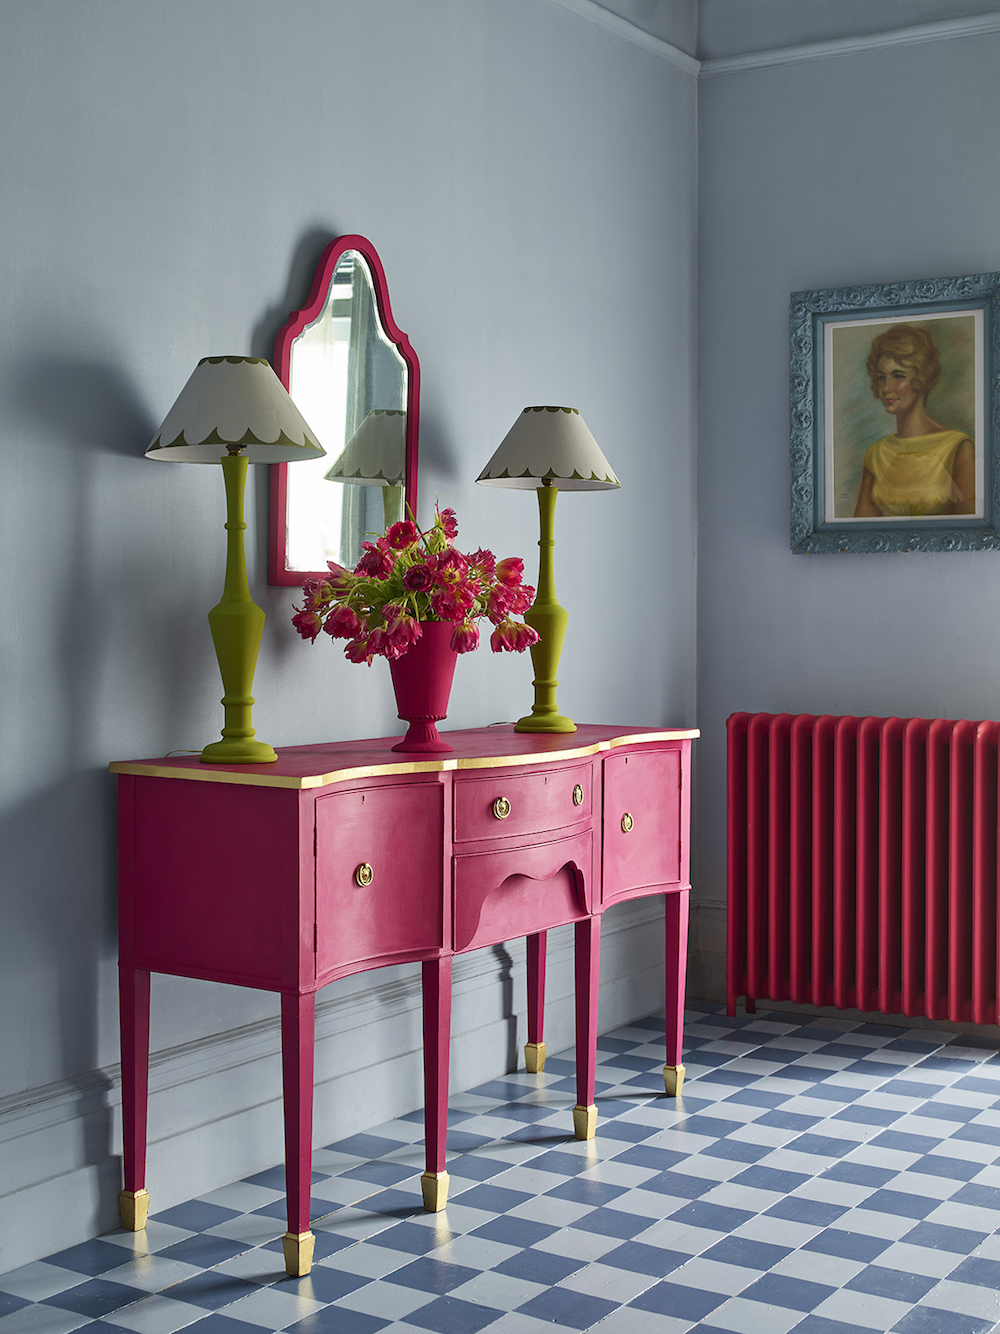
(875, 167)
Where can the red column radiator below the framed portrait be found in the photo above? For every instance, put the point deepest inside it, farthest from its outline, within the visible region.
(863, 864)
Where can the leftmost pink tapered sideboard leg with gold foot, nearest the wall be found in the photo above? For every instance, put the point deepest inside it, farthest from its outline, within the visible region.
(134, 993)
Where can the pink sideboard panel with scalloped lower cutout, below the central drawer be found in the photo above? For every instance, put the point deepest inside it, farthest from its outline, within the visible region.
(505, 896)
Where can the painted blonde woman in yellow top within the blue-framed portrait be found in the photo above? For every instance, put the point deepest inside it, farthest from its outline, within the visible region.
(922, 469)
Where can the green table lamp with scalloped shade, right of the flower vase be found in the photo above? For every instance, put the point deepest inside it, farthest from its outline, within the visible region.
(549, 450)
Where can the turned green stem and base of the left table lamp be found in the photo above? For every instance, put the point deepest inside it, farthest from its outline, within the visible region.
(237, 629)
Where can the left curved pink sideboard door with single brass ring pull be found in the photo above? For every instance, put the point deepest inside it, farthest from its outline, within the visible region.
(379, 872)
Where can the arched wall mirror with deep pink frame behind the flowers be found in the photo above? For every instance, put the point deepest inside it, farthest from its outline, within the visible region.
(357, 381)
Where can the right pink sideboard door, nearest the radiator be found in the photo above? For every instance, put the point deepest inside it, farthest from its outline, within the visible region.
(642, 822)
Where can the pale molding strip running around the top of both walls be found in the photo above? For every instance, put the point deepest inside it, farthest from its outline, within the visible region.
(942, 31)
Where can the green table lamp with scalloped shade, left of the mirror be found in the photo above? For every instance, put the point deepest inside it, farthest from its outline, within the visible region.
(235, 412)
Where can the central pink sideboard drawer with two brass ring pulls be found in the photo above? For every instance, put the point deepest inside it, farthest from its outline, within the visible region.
(510, 805)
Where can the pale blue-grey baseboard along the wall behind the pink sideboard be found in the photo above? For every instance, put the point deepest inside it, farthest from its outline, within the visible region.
(215, 1105)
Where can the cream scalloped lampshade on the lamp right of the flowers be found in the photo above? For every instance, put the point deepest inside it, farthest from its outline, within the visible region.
(550, 445)
